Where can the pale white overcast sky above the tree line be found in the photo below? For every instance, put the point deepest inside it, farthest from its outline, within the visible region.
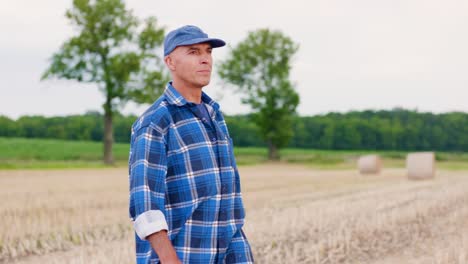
(354, 55)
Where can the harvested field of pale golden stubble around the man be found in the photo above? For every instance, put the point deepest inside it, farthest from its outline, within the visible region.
(294, 215)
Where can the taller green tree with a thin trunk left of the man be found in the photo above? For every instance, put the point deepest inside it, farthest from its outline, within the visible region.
(114, 50)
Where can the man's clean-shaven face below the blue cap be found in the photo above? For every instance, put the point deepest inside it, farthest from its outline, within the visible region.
(191, 64)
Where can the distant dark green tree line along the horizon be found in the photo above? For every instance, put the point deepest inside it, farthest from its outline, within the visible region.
(396, 129)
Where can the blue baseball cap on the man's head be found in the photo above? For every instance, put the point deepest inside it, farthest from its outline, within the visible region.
(188, 35)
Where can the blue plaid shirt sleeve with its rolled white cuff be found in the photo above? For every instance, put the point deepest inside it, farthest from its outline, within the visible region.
(147, 174)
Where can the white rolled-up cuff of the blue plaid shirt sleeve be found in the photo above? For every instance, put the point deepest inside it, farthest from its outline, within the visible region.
(149, 223)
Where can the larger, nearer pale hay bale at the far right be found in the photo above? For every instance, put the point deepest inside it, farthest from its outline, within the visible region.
(420, 165)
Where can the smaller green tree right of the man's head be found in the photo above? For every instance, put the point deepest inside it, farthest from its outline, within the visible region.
(259, 67)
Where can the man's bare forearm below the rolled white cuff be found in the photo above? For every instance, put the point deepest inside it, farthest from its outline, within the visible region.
(163, 247)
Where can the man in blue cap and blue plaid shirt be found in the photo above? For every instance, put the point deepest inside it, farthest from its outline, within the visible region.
(185, 197)
